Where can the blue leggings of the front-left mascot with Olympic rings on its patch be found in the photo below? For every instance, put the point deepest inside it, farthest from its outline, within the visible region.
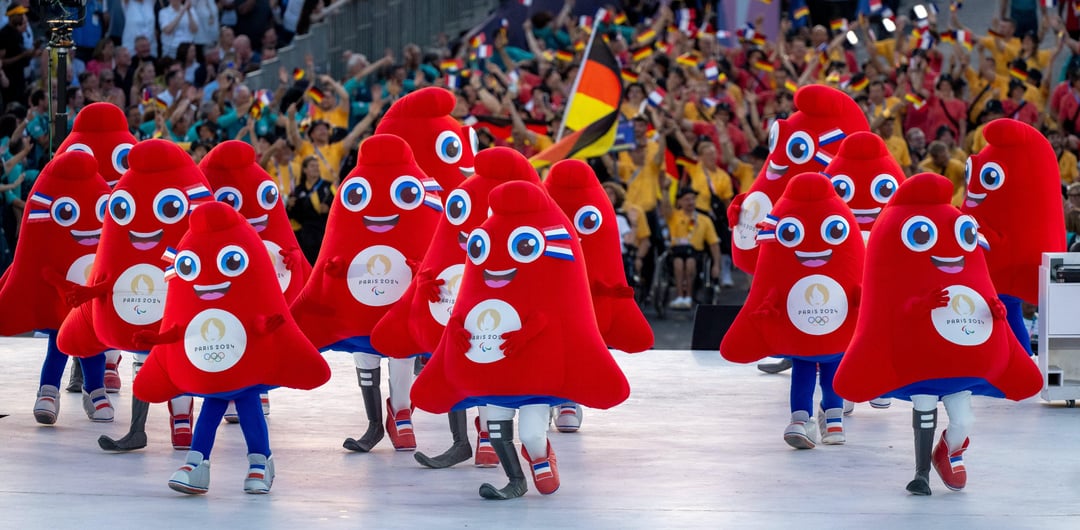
(252, 423)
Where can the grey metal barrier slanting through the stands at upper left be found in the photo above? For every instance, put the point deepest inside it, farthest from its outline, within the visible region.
(370, 28)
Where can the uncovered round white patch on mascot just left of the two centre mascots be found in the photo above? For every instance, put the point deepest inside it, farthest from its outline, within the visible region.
(379, 276)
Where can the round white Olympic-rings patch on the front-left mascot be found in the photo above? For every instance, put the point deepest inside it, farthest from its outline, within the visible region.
(215, 341)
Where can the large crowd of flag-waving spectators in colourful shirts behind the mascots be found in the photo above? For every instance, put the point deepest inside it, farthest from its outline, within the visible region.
(699, 102)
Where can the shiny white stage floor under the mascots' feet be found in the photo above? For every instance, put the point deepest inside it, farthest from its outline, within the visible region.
(698, 445)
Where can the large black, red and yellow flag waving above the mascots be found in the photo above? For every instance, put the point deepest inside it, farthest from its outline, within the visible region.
(592, 112)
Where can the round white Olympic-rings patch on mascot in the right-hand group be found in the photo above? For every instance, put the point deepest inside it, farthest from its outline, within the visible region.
(817, 305)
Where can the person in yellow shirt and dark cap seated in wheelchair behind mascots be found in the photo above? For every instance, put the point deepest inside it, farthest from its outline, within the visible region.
(691, 232)
